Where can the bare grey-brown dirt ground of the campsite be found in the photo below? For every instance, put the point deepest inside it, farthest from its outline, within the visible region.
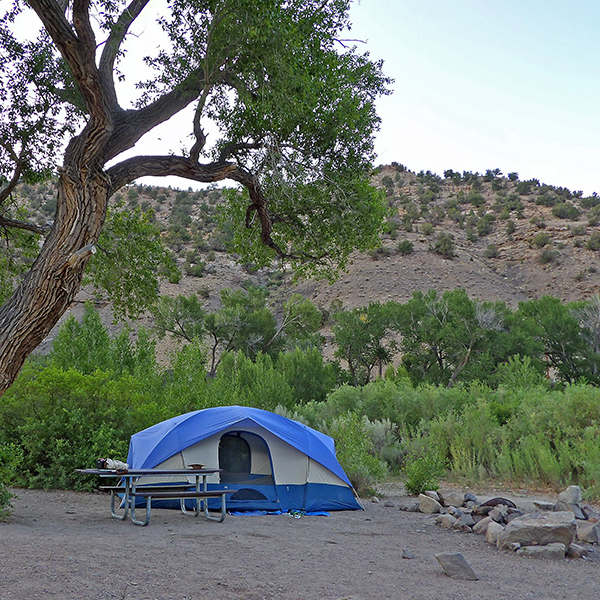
(65, 545)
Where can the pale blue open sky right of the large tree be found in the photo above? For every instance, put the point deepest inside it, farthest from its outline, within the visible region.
(483, 85)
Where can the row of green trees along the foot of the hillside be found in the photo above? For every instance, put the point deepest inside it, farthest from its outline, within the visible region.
(438, 339)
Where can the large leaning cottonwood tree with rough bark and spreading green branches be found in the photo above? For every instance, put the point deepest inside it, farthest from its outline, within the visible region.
(291, 111)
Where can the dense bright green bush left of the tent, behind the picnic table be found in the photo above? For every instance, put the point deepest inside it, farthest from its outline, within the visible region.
(62, 420)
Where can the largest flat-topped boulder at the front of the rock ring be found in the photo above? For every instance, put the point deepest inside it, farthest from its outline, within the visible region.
(539, 529)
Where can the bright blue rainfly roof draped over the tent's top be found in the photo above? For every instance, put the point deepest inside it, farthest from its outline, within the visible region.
(152, 446)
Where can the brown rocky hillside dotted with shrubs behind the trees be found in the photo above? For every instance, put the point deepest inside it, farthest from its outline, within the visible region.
(498, 237)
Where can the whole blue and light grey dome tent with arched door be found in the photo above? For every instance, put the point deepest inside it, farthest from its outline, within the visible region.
(273, 463)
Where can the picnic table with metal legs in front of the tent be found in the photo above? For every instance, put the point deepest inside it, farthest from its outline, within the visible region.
(130, 490)
